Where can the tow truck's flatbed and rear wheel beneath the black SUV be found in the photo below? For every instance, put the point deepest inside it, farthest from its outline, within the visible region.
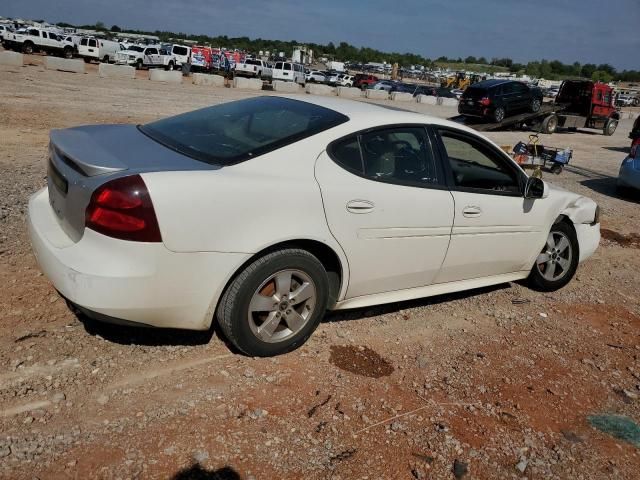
(544, 120)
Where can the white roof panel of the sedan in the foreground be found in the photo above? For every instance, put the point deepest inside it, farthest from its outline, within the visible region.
(372, 114)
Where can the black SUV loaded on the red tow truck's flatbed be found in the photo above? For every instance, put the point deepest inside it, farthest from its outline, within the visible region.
(497, 99)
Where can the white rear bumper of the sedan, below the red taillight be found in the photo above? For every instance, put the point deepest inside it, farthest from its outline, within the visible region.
(137, 282)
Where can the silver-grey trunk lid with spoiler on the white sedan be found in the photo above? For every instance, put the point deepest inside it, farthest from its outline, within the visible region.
(83, 158)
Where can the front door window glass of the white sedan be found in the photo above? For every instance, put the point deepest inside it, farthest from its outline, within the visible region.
(475, 165)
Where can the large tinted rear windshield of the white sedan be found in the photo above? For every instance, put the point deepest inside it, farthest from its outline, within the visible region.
(237, 131)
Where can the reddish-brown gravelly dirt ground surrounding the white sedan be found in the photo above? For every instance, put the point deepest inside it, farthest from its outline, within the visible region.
(492, 383)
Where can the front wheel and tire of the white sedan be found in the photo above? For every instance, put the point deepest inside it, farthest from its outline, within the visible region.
(557, 263)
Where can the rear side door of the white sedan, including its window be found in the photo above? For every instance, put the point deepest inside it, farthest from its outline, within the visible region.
(387, 206)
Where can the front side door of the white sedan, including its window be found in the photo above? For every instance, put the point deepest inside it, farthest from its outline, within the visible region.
(495, 230)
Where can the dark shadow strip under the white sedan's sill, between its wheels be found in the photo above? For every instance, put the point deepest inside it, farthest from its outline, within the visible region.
(376, 310)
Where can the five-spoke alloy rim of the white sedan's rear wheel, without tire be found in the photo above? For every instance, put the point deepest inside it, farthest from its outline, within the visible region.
(282, 305)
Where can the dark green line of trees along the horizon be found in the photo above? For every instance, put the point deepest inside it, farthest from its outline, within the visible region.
(549, 69)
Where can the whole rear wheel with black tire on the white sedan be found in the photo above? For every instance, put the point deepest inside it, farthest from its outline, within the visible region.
(275, 303)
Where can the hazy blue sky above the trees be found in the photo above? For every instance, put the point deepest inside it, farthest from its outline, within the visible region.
(593, 31)
